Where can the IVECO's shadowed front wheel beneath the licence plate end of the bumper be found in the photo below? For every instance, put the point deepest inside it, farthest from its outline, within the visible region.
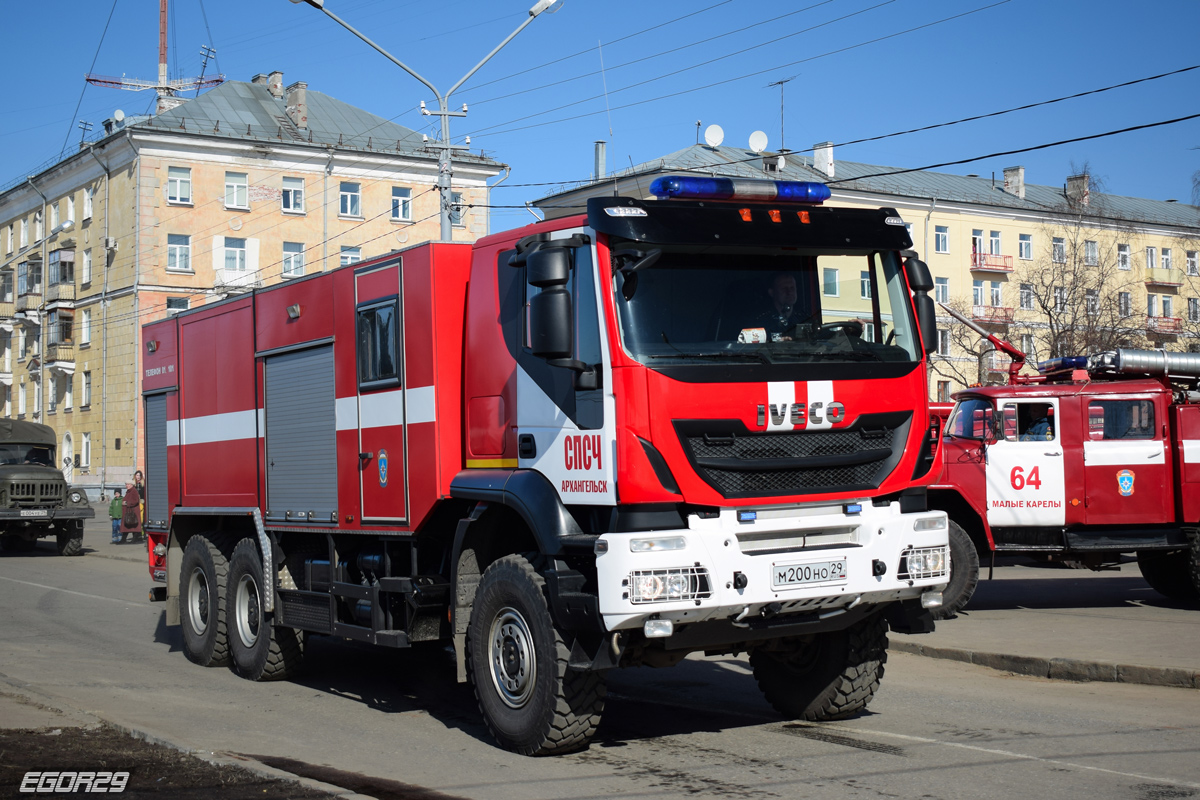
(830, 678)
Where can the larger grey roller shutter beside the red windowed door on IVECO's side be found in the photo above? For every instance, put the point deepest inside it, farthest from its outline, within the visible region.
(302, 455)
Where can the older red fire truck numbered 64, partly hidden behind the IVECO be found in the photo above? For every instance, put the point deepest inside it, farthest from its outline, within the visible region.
(1089, 461)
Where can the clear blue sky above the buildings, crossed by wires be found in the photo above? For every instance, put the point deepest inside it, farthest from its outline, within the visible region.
(859, 70)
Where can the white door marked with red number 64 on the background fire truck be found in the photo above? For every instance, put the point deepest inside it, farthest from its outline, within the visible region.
(1027, 484)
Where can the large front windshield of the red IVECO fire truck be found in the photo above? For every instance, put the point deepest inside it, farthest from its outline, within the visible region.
(764, 305)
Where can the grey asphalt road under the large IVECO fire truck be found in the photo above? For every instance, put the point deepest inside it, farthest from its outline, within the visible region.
(80, 633)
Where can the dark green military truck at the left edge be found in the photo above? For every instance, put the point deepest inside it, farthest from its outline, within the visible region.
(35, 500)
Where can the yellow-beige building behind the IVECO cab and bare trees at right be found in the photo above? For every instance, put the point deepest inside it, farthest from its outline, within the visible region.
(1058, 270)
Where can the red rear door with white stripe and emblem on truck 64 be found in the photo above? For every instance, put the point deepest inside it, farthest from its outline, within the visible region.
(1126, 472)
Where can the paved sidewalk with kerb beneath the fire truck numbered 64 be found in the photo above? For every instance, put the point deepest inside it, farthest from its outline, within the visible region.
(1047, 621)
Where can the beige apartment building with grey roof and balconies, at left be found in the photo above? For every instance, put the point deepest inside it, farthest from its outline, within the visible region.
(248, 185)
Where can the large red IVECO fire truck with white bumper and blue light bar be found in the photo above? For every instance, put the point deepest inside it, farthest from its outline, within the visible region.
(610, 440)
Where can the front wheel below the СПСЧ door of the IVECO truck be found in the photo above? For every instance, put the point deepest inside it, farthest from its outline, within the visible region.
(517, 660)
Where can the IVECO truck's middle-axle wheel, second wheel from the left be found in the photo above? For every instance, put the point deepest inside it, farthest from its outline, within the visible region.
(259, 649)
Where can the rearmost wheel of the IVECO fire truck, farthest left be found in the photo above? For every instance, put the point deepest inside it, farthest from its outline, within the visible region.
(202, 590)
